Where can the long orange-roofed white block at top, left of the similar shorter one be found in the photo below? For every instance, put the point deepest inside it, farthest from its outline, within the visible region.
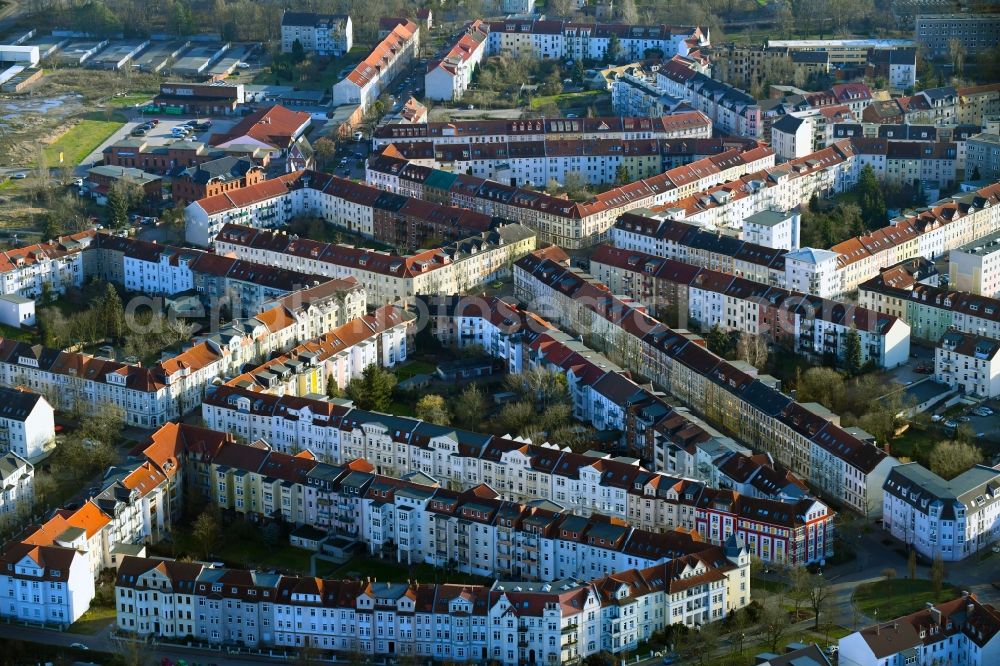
(372, 76)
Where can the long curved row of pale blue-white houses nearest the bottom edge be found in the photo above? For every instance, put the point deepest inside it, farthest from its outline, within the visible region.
(506, 623)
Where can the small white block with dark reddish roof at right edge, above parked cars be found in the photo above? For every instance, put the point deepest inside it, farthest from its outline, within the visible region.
(969, 363)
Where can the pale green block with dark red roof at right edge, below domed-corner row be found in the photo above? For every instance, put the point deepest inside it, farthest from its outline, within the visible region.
(906, 291)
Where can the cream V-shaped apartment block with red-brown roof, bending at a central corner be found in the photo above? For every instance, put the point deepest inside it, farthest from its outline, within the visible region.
(387, 278)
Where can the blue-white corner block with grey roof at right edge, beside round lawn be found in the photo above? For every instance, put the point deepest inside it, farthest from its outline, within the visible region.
(947, 519)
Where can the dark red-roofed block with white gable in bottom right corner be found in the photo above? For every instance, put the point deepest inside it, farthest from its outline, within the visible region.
(960, 631)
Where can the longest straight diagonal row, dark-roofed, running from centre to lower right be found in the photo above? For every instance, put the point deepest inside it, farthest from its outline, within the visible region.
(819, 451)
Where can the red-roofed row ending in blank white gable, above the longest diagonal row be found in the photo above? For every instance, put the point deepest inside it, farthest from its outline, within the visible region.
(810, 325)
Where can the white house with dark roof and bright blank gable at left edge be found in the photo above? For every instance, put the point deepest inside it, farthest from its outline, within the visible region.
(27, 425)
